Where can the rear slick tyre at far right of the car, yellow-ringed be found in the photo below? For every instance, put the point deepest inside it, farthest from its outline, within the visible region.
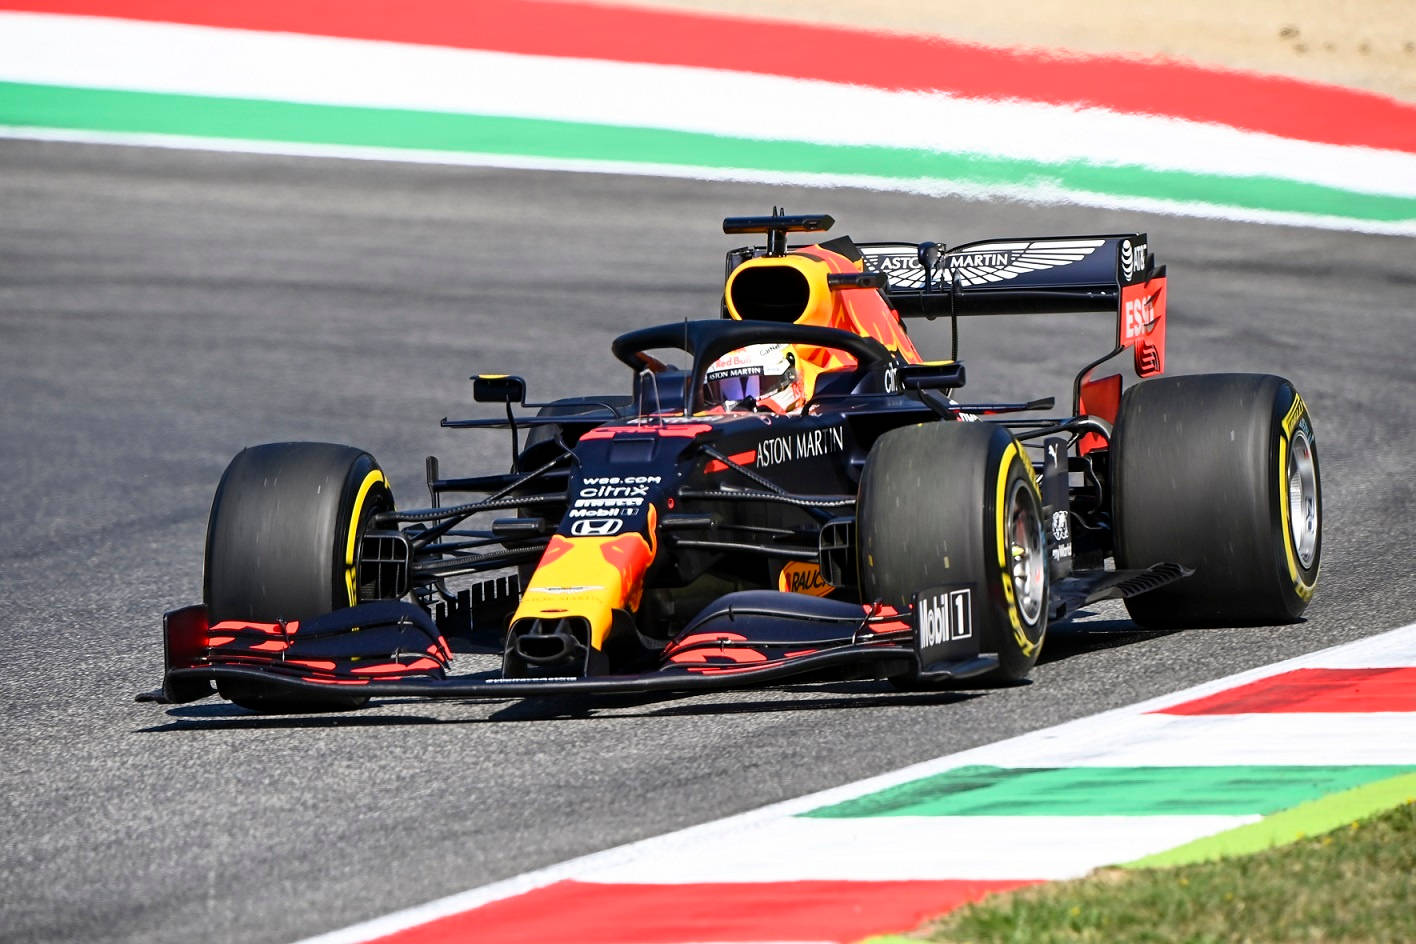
(1220, 473)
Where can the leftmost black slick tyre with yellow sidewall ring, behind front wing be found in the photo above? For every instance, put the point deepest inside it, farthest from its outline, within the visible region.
(284, 540)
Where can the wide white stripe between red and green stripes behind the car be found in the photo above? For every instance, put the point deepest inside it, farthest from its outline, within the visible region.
(176, 59)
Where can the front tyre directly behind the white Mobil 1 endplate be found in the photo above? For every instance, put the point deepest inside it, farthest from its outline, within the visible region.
(957, 503)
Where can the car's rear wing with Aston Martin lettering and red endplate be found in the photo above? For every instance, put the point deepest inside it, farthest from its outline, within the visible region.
(1029, 277)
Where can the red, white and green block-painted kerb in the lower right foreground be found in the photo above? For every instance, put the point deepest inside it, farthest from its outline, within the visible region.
(1227, 768)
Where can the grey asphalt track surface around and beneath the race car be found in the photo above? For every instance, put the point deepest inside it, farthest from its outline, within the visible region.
(159, 311)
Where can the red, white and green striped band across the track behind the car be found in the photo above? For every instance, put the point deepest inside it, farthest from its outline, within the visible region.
(594, 88)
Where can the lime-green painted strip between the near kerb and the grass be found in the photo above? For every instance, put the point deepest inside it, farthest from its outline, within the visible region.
(1306, 820)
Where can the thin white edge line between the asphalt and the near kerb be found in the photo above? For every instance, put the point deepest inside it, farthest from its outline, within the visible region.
(1041, 748)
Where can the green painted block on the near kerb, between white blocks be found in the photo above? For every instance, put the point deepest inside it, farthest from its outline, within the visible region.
(1117, 792)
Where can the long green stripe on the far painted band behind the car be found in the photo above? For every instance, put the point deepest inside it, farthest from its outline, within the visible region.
(267, 121)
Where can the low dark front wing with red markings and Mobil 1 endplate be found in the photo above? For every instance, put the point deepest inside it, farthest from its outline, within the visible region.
(744, 640)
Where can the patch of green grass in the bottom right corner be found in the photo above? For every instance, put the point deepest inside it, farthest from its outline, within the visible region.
(1356, 884)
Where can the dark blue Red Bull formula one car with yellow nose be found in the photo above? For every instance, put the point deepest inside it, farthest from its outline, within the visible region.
(805, 499)
